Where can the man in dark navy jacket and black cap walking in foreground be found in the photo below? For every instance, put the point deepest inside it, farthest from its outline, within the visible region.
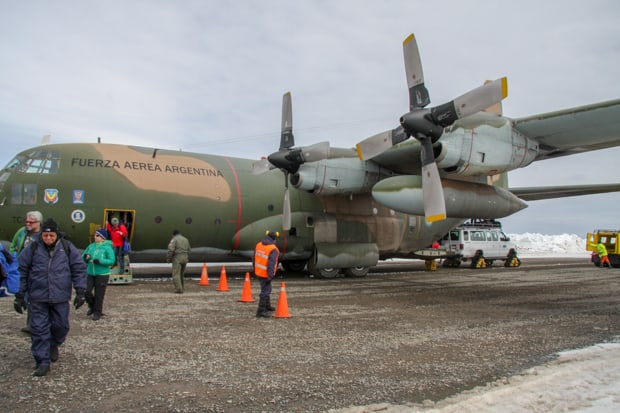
(48, 269)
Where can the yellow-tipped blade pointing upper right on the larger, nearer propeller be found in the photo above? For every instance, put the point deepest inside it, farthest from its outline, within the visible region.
(474, 101)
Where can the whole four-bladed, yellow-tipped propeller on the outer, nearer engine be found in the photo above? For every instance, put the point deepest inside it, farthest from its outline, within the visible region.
(427, 125)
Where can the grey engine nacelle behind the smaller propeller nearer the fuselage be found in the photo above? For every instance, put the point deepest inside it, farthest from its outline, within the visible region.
(338, 176)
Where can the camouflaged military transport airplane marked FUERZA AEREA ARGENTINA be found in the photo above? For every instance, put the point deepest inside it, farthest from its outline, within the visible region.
(340, 209)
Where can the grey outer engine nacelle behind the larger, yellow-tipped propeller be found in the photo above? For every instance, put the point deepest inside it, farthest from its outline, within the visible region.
(485, 150)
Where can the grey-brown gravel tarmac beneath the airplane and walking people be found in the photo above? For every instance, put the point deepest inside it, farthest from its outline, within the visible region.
(400, 336)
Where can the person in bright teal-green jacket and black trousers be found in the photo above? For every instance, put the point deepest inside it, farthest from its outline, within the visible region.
(99, 256)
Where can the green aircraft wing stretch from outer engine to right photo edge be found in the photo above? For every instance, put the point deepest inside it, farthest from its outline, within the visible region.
(571, 131)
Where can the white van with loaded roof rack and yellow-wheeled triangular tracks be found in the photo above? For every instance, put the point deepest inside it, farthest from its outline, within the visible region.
(480, 242)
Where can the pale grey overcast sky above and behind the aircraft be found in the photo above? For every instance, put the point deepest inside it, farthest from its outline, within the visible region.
(208, 76)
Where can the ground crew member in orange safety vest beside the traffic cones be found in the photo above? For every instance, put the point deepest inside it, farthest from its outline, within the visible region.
(265, 263)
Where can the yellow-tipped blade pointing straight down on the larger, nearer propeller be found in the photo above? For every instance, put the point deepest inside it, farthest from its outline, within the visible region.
(434, 202)
